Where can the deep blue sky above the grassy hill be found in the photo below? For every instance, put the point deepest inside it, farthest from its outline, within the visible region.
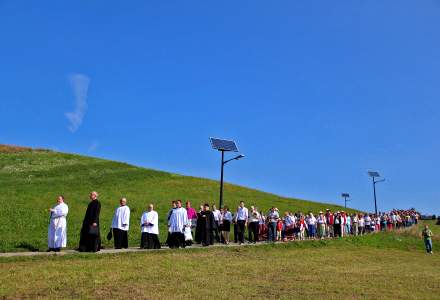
(316, 93)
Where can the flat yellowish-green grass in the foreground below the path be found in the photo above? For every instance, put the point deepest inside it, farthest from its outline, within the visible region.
(380, 266)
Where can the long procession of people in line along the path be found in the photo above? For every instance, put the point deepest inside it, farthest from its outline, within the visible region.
(209, 225)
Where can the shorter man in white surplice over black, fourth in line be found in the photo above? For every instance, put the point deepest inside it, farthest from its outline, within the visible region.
(150, 229)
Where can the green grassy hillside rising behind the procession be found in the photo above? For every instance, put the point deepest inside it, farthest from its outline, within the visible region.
(31, 179)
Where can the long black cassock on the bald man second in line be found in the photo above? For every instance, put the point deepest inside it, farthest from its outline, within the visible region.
(91, 241)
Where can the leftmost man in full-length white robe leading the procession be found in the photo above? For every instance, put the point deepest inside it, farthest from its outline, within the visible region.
(57, 232)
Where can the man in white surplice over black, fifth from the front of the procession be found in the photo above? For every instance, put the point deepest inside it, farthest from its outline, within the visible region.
(176, 226)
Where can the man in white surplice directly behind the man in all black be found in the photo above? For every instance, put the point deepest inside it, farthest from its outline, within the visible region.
(121, 224)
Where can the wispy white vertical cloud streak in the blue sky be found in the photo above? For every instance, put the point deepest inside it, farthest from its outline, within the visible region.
(80, 86)
